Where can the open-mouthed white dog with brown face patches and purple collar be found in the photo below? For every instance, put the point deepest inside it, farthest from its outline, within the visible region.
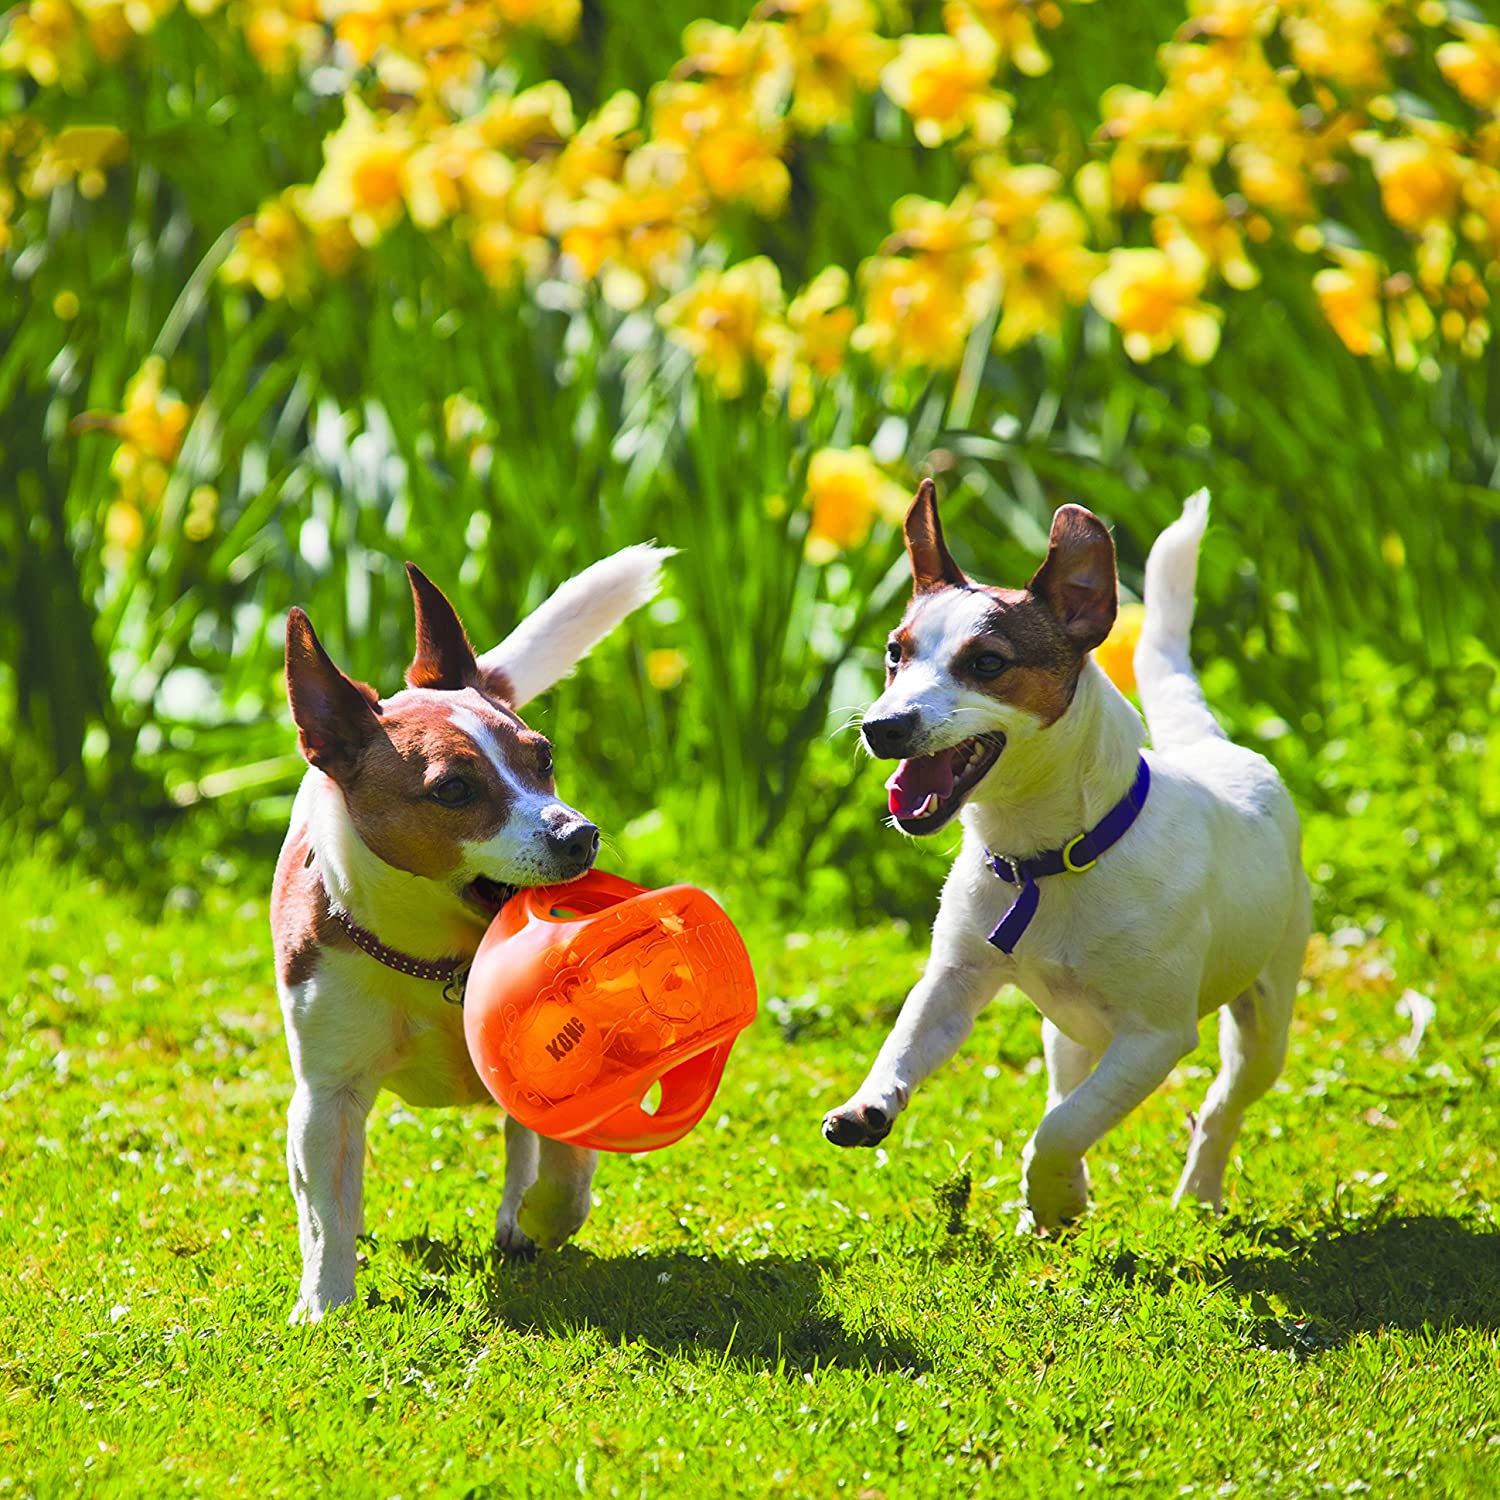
(1129, 893)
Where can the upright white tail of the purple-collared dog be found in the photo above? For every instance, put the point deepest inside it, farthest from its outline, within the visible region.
(1177, 712)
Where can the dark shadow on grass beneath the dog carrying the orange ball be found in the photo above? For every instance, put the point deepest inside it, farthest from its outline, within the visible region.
(767, 1313)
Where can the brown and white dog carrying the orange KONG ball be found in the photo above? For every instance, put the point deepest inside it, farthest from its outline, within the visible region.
(416, 815)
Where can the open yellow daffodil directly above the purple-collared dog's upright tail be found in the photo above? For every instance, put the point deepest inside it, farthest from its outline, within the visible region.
(1153, 298)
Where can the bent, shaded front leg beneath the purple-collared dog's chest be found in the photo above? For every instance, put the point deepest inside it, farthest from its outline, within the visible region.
(1132, 1069)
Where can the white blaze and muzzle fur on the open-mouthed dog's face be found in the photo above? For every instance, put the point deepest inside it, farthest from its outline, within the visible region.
(940, 628)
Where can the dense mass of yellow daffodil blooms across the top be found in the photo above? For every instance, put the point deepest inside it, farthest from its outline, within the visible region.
(1268, 121)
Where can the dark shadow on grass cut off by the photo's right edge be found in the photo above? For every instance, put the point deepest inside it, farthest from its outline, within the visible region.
(1408, 1273)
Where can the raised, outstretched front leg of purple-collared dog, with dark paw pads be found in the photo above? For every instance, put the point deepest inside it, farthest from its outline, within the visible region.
(935, 1021)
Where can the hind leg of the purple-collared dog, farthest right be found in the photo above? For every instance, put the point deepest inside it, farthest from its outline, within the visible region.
(1253, 1045)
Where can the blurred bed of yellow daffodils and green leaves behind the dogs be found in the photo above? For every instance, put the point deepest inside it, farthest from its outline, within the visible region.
(292, 290)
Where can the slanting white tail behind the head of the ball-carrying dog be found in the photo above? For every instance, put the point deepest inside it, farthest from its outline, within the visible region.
(554, 638)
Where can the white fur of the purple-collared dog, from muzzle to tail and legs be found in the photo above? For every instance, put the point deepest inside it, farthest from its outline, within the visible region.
(1202, 907)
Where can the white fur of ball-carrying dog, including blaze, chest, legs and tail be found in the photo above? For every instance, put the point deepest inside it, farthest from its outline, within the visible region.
(358, 1027)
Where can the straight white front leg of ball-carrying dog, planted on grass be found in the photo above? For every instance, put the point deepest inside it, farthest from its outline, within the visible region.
(326, 1163)
